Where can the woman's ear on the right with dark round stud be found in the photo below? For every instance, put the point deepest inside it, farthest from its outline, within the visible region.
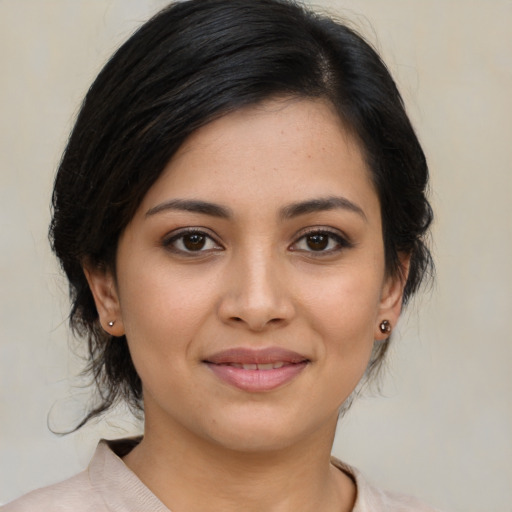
(390, 304)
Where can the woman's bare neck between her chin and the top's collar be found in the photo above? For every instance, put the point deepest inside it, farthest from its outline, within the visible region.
(190, 474)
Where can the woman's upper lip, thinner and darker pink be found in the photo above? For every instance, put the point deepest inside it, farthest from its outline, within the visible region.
(242, 355)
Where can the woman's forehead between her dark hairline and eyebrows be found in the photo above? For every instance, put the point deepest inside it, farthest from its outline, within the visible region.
(276, 152)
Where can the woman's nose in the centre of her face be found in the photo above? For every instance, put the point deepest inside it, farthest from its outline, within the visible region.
(256, 294)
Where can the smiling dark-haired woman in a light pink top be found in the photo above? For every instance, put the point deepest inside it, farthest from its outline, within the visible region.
(240, 212)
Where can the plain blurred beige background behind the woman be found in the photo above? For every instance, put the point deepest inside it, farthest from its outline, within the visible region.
(443, 429)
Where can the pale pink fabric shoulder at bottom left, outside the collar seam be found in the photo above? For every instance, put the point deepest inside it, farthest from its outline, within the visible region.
(75, 494)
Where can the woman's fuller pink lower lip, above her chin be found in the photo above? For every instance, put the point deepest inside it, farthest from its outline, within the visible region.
(257, 381)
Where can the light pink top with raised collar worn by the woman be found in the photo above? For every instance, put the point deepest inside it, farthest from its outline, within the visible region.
(107, 485)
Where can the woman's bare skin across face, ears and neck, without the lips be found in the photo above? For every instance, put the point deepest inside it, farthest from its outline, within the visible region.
(258, 278)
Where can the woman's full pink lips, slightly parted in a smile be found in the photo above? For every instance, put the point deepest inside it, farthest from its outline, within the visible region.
(256, 370)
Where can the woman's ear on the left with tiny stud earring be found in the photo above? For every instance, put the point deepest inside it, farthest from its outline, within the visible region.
(103, 288)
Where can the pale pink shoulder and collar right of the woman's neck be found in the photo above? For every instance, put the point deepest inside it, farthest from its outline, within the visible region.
(372, 499)
